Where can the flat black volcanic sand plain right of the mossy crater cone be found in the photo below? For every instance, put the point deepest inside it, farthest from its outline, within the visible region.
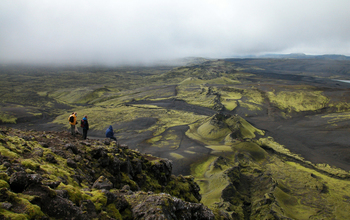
(311, 137)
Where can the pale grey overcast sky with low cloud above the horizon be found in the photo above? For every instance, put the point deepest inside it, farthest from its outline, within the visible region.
(141, 31)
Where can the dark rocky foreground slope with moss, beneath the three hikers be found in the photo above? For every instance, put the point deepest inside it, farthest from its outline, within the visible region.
(56, 176)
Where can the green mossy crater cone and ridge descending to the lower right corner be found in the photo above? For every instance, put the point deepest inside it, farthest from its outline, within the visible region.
(248, 176)
